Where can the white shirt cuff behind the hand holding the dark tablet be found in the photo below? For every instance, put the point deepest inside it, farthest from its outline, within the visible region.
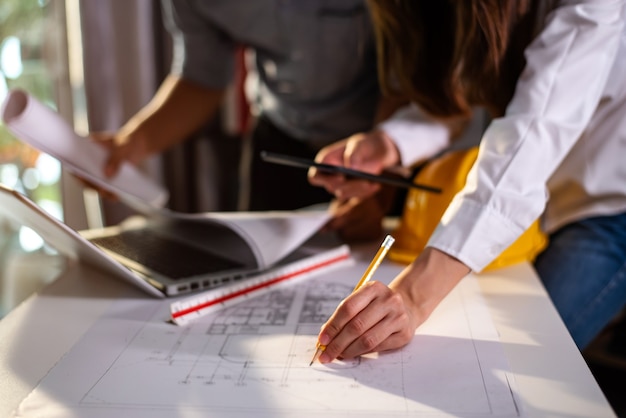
(416, 136)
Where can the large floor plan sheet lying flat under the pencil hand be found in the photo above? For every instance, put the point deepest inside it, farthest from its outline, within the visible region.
(253, 360)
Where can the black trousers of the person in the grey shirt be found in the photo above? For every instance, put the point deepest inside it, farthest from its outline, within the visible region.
(278, 187)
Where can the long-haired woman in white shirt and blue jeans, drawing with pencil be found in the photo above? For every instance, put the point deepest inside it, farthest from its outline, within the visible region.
(553, 76)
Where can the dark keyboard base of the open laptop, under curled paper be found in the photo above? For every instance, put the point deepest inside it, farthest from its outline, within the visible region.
(176, 256)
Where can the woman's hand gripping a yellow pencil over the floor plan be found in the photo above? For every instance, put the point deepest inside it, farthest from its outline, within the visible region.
(378, 317)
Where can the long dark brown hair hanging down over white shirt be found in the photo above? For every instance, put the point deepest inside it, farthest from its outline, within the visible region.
(448, 55)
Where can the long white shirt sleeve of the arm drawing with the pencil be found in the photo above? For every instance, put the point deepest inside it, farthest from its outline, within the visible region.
(557, 93)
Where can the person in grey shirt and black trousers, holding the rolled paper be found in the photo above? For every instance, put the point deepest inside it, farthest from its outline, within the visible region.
(317, 83)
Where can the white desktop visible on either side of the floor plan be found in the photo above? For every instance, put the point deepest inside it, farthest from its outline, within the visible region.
(552, 377)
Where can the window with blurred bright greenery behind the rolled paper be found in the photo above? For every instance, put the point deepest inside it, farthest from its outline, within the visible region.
(34, 57)
